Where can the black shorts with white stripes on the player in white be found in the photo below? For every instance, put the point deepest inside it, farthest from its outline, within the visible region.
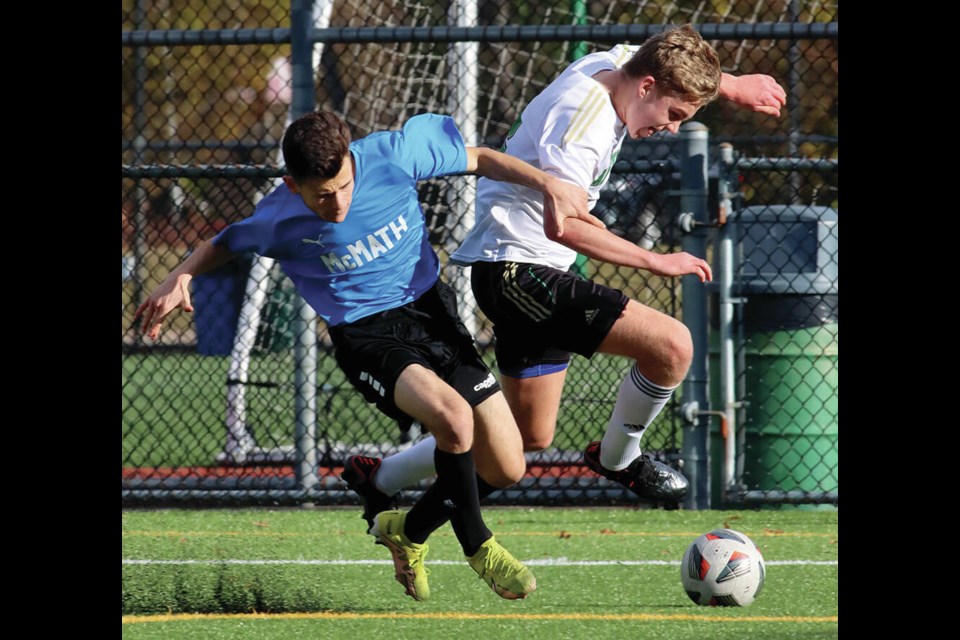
(541, 315)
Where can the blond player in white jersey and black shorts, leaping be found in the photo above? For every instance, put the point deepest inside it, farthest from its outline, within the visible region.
(520, 259)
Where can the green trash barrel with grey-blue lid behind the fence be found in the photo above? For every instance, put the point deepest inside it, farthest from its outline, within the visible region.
(789, 277)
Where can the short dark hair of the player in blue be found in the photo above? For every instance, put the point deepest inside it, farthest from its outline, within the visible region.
(315, 145)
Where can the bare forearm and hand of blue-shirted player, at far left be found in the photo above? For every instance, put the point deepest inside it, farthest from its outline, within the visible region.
(174, 291)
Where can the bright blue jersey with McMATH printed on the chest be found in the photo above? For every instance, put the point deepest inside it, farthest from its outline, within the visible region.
(380, 256)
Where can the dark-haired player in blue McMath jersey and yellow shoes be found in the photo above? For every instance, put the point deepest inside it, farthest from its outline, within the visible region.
(348, 230)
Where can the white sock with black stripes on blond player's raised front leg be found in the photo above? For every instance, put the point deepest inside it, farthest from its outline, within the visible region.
(638, 403)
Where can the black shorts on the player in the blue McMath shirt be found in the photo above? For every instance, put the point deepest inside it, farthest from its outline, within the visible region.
(374, 351)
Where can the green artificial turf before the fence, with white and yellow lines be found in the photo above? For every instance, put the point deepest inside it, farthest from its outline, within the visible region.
(606, 572)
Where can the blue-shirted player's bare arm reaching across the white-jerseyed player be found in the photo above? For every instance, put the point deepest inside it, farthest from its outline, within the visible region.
(561, 199)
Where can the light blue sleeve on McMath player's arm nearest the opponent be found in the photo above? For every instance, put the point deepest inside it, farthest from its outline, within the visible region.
(431, 145)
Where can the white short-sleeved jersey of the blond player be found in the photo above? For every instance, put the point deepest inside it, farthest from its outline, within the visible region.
(570, 130)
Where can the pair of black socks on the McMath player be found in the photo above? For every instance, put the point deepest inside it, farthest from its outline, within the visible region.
(454, 491)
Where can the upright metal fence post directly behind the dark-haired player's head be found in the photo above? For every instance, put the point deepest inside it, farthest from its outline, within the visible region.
(304, 317)
